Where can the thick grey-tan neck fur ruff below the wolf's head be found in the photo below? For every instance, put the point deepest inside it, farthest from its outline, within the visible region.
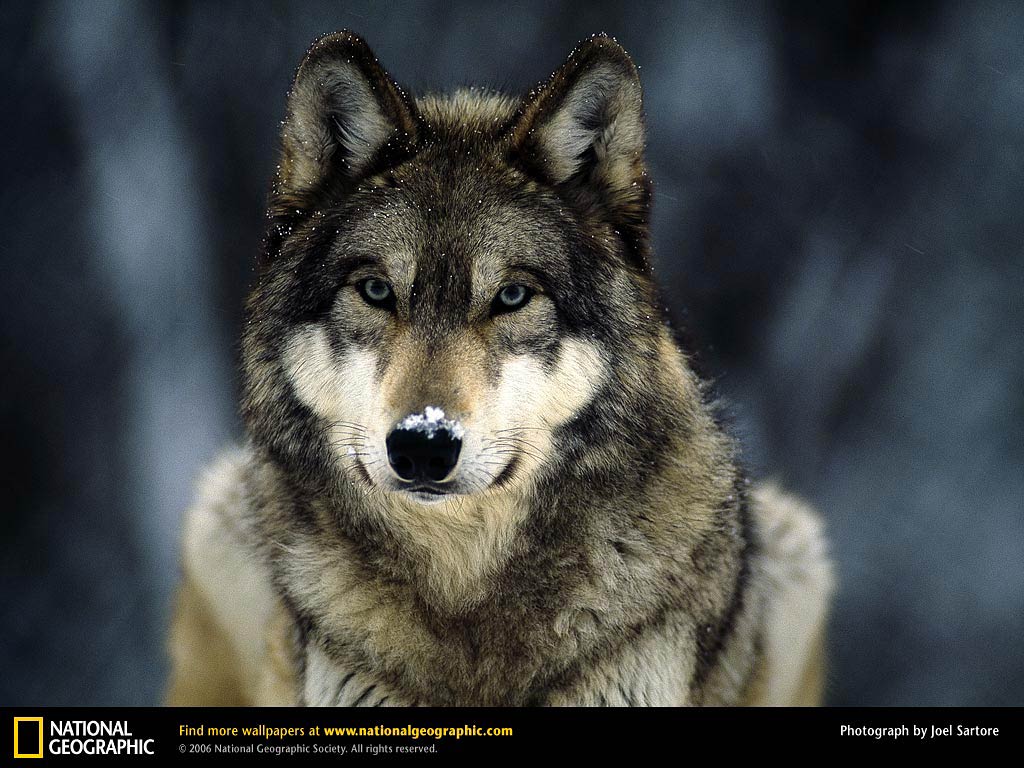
(585, 546)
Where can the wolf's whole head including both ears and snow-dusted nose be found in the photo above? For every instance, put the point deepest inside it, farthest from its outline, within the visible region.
(448, 285)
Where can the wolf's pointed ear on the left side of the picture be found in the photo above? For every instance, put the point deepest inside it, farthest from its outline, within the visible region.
(346, 117)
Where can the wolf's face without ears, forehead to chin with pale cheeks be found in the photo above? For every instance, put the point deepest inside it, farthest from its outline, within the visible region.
(442, 366)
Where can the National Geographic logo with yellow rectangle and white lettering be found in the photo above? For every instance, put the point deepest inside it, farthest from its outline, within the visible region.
(77, 738)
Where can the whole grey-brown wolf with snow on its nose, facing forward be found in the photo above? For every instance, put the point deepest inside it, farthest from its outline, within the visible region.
(480, 471)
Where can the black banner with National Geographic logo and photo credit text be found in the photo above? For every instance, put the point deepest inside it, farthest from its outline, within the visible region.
(279, 737)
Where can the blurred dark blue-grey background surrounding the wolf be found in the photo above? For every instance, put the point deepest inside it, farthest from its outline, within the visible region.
(838, 223)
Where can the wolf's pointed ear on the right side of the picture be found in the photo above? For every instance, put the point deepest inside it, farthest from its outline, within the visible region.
(584, 131)
